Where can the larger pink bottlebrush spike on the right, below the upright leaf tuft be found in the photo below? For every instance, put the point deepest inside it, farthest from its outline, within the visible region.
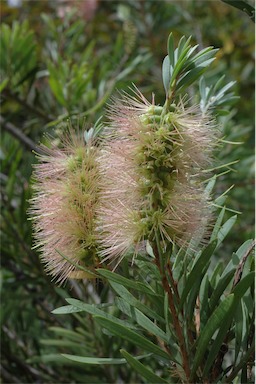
(151, 162)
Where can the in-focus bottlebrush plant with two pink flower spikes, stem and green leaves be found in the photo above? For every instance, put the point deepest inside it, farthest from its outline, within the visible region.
(134, 208)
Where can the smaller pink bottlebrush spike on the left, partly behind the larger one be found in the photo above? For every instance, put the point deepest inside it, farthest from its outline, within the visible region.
(63, 208)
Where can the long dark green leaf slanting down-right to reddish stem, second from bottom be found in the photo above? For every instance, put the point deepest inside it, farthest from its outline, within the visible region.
(133, 337)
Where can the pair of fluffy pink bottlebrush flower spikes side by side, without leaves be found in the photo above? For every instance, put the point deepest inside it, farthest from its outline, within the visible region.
(98, 203)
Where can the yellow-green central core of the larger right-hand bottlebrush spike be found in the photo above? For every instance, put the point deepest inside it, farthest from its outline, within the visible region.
(155, 160)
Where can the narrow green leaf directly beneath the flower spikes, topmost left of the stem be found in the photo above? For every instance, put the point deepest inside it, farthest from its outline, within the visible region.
(138, 286)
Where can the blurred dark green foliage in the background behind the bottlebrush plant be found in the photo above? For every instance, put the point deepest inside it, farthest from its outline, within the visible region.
(63, 60)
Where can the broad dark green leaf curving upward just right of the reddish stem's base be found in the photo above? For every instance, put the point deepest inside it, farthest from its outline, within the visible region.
(219, 315)
